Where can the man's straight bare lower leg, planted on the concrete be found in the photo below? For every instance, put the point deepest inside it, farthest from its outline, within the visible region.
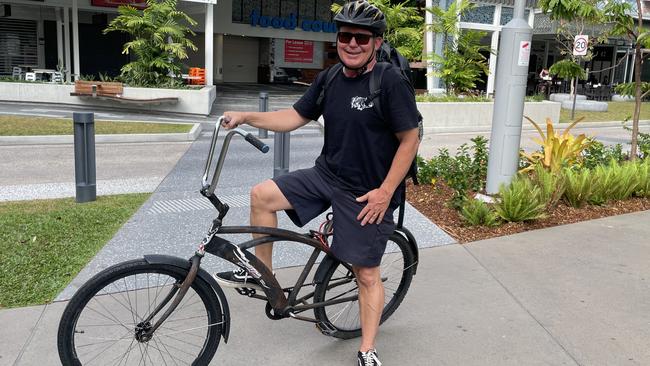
(371, 304)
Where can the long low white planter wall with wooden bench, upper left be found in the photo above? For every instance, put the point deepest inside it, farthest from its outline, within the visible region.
(190, 101)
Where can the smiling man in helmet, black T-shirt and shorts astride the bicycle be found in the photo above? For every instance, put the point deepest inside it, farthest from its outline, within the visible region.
(360, 171)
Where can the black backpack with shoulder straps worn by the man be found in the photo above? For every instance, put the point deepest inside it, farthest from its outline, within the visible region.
(387, 57)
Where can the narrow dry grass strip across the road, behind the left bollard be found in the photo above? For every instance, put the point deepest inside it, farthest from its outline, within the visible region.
(32, 126)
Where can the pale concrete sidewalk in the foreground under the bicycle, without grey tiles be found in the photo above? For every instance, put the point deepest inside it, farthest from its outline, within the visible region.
(570, 295)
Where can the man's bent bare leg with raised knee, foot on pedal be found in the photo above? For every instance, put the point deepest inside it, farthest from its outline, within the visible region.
(266, 201)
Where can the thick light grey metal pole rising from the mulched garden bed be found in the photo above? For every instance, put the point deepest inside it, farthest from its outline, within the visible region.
(510, 90)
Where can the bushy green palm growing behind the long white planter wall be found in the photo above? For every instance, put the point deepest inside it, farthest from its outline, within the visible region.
(158, 42)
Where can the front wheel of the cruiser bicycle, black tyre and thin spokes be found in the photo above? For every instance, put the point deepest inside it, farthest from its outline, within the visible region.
(100, 310)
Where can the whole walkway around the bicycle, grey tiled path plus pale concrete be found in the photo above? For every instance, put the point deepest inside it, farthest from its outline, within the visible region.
(571, 295)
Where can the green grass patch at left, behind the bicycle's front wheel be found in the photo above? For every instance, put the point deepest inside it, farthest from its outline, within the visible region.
(45, 243)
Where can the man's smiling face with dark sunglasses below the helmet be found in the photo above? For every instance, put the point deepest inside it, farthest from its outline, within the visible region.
(352, 51)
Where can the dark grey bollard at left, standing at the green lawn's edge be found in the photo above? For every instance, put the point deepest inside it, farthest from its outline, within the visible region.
(84, 156)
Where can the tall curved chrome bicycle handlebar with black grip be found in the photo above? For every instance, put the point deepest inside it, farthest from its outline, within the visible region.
(208, 189)
